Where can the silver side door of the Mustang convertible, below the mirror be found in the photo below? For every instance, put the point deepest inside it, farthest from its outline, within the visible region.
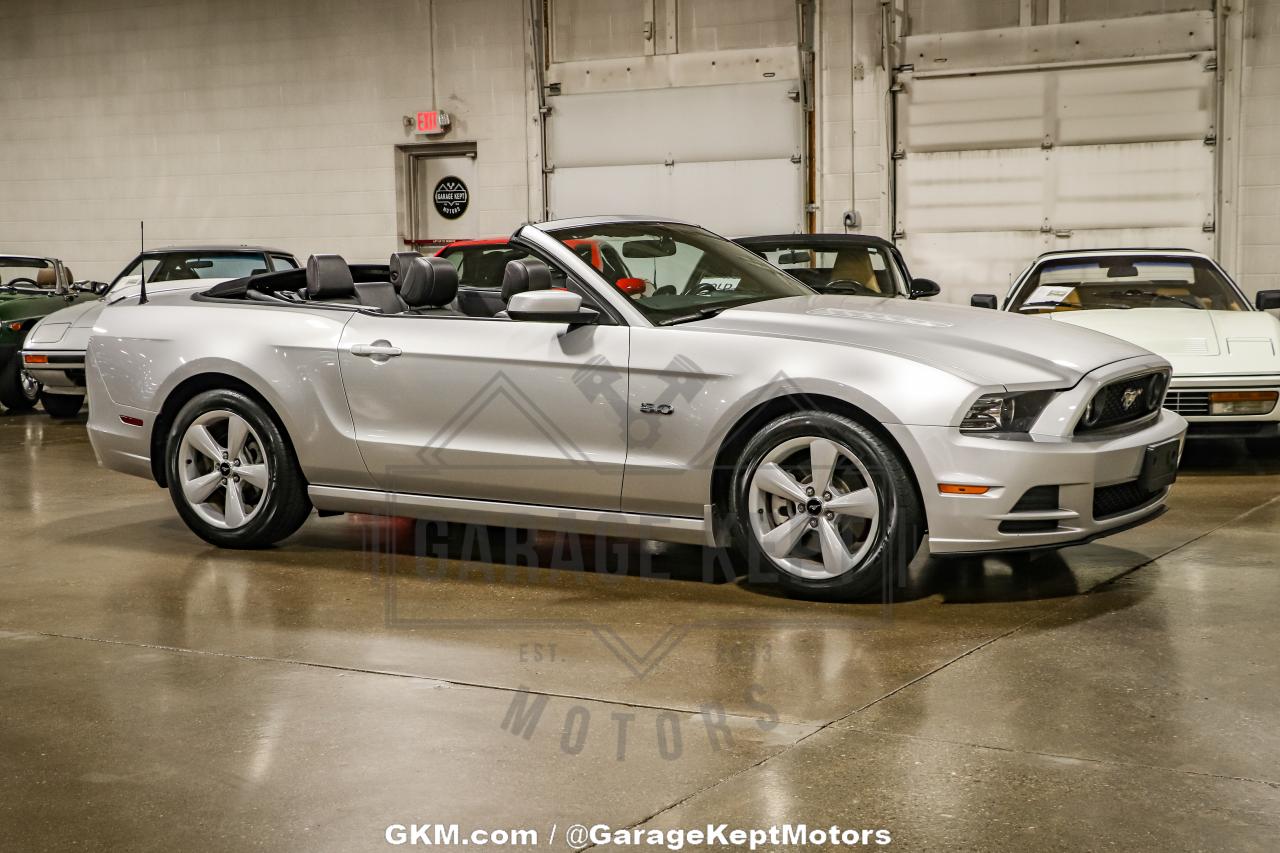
(499, 410)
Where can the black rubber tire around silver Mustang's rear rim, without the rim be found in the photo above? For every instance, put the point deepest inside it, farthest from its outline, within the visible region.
(281, 475)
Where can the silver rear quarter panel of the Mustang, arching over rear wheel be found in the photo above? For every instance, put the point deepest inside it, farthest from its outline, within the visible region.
(141, 354)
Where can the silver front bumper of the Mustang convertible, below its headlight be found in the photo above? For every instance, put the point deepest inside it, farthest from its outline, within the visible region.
(1092, 486)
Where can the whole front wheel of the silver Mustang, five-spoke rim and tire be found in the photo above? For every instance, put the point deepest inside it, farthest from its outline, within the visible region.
(828, 504)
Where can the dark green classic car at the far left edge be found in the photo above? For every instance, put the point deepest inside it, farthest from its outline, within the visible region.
(30, 289)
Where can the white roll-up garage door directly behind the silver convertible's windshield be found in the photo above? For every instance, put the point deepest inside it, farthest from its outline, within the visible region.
(726, 157)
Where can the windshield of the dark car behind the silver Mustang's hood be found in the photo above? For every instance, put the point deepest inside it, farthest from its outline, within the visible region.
(854, 268)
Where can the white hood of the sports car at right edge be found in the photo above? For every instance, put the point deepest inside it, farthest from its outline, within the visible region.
(1197, 343)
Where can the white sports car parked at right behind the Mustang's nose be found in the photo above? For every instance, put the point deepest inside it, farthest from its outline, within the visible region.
(1178, 304)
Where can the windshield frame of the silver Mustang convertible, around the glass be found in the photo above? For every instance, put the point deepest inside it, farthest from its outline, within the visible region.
(551, 239)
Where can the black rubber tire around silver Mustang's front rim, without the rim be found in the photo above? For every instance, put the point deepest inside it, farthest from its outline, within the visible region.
(898, 528)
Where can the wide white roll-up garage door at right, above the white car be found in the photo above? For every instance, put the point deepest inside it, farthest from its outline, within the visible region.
(998, 166)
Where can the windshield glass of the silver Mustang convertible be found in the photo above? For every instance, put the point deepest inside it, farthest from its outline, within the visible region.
(685, 271)
